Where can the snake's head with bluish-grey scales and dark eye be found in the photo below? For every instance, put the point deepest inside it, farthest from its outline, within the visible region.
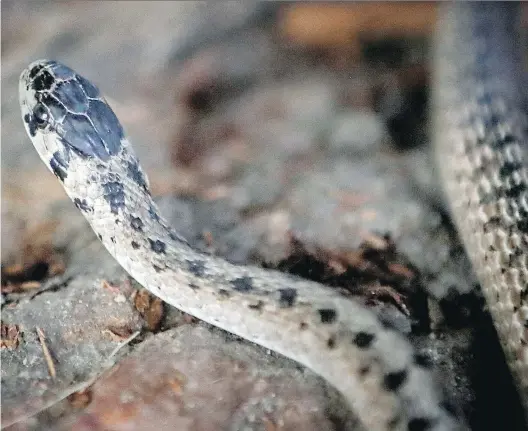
(64, 112)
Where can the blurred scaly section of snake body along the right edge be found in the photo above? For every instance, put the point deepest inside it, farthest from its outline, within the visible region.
(480, 131)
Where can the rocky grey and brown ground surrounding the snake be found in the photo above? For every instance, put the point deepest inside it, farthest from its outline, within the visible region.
(253, 120)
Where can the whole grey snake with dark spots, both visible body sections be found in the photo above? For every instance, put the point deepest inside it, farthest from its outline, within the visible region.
(479, 132)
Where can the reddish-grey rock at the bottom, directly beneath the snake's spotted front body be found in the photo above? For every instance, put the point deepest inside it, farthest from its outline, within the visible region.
(190, 378)
